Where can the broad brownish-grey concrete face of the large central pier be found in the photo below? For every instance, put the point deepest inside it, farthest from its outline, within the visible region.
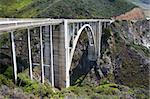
(59, 56)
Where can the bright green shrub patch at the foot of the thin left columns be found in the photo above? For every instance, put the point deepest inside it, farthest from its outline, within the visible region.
(35, 87)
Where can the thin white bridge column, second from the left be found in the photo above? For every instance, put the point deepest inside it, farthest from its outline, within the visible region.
(30, 56)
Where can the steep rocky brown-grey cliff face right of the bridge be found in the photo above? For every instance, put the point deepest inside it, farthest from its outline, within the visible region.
(129, 52)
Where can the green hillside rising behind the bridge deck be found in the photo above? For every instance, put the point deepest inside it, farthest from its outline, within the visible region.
(64, 8)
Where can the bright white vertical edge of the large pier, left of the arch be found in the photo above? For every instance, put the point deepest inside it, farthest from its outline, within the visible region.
(67, 53)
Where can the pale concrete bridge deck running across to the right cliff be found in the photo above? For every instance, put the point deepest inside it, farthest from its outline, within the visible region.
(14, 24)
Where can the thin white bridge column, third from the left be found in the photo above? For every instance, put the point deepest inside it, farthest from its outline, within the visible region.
(41, 50)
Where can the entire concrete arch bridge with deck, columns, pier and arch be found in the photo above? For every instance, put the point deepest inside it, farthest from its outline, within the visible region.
(56, 52)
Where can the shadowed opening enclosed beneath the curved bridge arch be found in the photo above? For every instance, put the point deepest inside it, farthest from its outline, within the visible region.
(82, 59)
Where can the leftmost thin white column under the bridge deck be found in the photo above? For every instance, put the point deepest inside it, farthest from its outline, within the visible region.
(14, 56)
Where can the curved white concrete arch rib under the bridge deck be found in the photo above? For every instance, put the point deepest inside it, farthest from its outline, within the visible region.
(91, 38)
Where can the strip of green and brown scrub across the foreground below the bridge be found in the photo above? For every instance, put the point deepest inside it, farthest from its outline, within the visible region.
(33, 89)
